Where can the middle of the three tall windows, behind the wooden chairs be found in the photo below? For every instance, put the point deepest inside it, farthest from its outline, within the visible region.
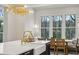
(57, 25)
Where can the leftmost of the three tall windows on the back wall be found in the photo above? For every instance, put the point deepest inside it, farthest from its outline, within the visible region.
(45, 27)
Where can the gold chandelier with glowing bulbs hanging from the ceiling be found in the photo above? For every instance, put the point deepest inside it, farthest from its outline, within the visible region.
(18, 9)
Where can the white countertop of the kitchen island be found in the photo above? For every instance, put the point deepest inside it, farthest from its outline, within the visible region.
(15, 47)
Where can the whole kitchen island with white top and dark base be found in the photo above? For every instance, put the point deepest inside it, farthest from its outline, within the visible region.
(30, 48)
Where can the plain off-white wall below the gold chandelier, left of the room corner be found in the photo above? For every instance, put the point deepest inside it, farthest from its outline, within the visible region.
(15, 25)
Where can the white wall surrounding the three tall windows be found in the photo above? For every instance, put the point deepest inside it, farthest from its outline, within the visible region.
(56, 11)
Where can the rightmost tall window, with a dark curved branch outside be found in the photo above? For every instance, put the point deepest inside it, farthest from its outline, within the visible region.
(70, 26)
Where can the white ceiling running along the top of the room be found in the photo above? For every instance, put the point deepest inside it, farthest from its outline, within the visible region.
(42, 6)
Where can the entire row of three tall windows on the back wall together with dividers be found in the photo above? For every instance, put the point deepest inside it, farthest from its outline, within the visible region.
(57, 30)
